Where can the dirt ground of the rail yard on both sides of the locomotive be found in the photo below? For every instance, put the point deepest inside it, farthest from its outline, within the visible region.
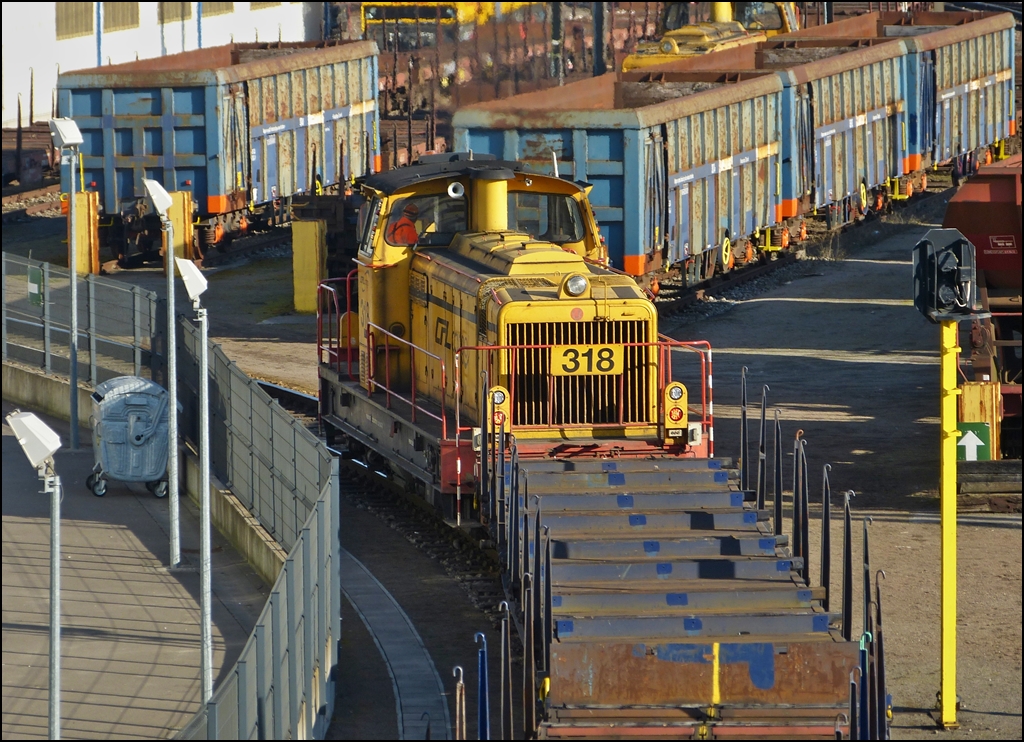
(849, 362)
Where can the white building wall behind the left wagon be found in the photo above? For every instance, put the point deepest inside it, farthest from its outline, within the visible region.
(30, 43)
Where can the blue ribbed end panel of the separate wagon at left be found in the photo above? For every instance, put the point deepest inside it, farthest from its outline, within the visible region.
(135, 134)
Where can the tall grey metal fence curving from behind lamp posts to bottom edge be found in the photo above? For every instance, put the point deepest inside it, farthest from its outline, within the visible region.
(282, 686)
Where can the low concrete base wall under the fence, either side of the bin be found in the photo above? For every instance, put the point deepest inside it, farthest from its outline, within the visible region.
(51, 395)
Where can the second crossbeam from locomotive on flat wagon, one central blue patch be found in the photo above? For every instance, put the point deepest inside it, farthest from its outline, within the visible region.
(685, 481)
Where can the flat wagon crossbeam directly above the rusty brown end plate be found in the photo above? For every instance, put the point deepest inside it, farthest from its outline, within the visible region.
(687, 629)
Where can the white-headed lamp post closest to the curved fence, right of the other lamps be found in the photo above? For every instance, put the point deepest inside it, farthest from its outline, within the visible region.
(195, 285)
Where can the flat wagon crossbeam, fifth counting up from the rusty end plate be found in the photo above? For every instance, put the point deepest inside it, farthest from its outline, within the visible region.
(598, 525)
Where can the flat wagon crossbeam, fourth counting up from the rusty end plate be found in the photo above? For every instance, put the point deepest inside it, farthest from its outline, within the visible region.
(658, 549)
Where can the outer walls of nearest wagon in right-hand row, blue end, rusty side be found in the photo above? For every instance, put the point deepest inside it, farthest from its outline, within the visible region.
(664, 191)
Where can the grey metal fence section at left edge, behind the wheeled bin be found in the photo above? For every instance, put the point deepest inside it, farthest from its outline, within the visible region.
(118, 324)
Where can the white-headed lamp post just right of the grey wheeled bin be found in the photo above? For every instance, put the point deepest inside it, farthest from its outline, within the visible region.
(162, 201)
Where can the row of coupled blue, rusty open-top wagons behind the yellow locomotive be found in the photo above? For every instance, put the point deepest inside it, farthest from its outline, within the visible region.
(706, 163)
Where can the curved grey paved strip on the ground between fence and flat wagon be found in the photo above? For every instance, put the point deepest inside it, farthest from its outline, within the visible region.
(418, 688)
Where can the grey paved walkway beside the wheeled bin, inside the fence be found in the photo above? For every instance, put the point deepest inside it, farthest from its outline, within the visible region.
(130, 626)
